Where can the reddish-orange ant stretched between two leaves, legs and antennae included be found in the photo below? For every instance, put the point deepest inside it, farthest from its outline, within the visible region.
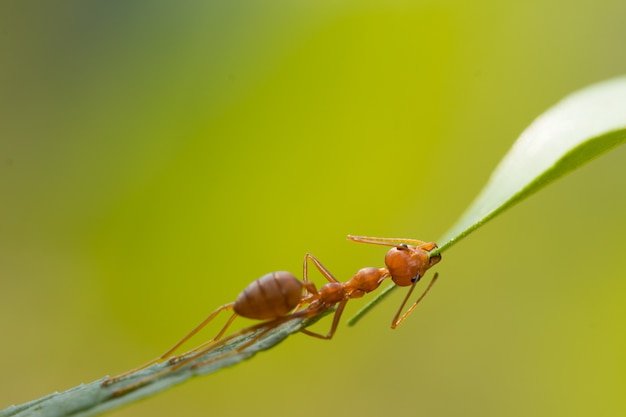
(279, 296)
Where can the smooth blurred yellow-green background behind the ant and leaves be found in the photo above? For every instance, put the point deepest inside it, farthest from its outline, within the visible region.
(156, 157)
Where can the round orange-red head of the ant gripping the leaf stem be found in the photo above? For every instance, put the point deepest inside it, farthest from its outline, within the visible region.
(407, 264)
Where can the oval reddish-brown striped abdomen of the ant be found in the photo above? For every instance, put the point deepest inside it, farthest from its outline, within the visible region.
(269, 297)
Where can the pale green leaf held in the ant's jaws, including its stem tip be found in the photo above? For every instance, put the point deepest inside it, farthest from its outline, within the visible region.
(580, 128)
